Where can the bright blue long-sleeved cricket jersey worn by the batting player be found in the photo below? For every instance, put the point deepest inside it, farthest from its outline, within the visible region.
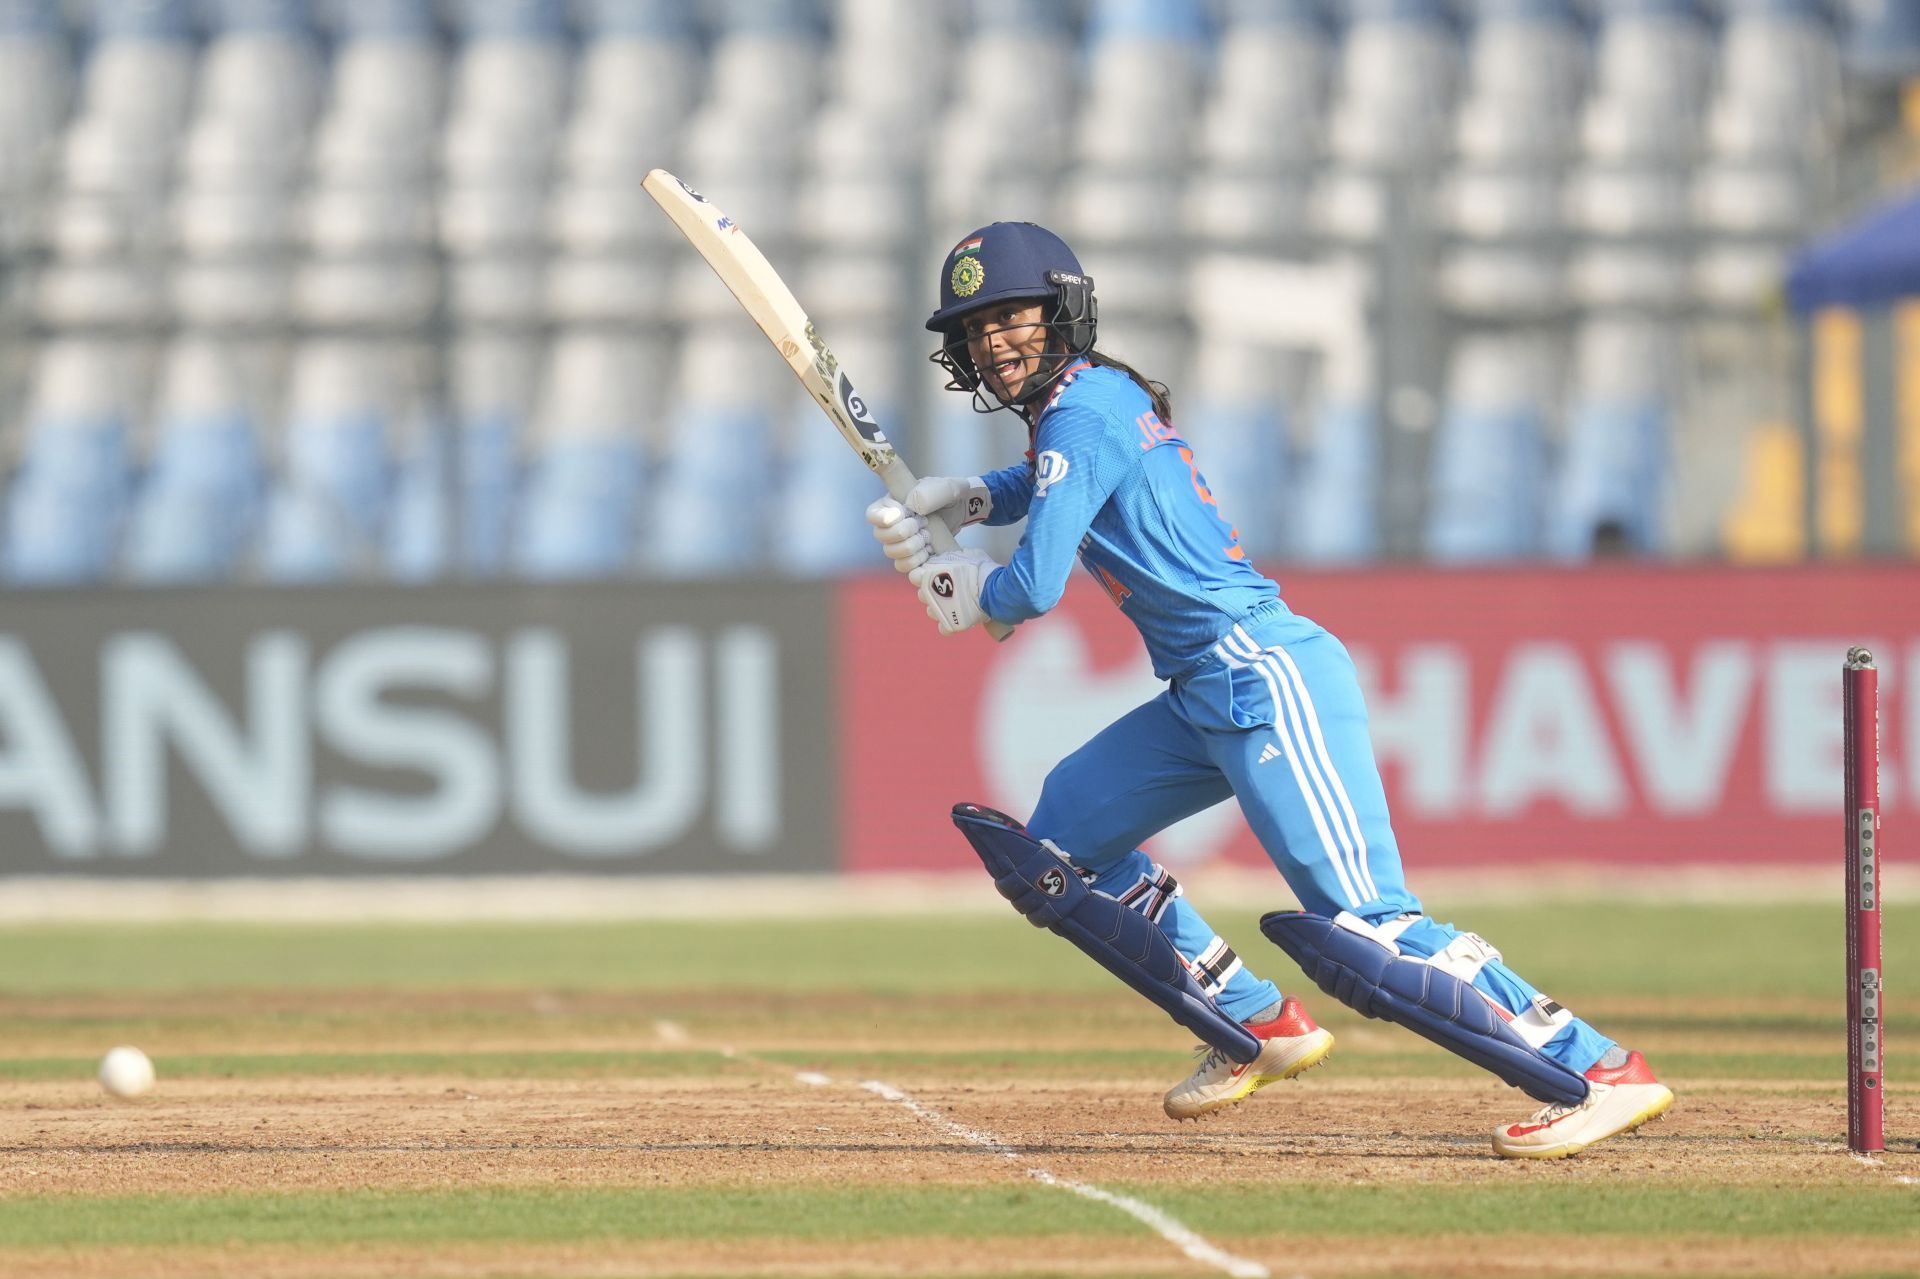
(1116, 487)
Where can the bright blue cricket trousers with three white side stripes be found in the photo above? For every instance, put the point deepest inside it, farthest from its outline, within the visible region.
(1276, 719)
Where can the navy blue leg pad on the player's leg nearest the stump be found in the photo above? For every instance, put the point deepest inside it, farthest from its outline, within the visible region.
(1431, 1003)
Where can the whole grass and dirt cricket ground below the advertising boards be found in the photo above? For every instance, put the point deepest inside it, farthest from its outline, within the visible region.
(934, 1098)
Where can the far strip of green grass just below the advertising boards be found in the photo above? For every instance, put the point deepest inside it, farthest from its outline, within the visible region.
(1614, 952)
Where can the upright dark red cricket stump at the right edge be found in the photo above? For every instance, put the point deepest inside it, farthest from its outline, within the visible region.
(1865, 1044)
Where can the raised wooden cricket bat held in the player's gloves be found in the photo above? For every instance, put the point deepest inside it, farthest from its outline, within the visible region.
(773, 306)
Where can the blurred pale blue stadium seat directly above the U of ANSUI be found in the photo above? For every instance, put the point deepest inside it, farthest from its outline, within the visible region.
(581, 510)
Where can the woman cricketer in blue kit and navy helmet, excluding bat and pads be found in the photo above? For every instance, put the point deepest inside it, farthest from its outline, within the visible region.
(1260, 702)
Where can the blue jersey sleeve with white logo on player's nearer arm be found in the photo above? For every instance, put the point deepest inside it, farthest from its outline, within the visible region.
(1082, 479)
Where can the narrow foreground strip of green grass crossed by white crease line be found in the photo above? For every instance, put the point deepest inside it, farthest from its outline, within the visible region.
(865, 1213)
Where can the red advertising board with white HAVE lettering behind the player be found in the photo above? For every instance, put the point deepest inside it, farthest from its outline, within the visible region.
(1531, 715)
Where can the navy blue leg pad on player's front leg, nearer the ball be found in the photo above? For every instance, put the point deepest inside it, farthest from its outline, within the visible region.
(1047, 890)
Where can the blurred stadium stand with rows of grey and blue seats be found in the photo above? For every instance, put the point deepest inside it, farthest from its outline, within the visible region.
(308, 291)
